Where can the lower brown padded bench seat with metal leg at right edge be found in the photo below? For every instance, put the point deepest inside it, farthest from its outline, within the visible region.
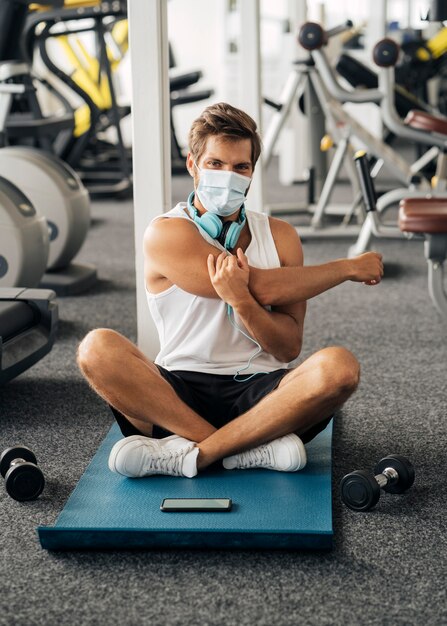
(428, 216)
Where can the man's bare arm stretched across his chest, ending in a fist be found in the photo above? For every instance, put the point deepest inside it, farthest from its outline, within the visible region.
(176, 251)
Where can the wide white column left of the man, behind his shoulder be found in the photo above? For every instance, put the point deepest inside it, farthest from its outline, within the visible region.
(150, 138)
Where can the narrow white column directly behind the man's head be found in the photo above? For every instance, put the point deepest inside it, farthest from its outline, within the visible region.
(250, 88)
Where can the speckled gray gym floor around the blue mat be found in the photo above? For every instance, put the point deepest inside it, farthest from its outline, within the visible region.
(387, 566)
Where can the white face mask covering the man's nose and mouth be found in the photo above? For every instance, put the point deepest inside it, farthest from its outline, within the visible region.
(221, 192)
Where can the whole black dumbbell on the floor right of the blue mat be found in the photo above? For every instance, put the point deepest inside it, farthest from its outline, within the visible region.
(360, 490)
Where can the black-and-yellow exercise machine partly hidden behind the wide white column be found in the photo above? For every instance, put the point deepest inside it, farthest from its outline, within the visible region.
(105, 168)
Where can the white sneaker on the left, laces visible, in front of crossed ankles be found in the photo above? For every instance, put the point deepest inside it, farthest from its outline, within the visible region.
(138, 456)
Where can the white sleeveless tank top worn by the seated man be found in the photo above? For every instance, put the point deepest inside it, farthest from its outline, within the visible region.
(195, 332)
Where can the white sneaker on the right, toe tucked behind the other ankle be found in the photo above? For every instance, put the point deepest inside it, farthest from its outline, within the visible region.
(285, 454)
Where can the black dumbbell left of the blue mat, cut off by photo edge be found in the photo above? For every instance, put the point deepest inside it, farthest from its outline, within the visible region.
(23, 479)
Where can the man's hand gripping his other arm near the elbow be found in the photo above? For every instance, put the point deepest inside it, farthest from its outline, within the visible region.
(229, 276)
